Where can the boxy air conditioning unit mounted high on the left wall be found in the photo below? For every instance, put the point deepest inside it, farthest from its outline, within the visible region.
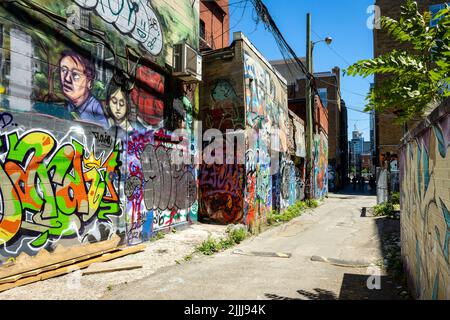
(187, 63)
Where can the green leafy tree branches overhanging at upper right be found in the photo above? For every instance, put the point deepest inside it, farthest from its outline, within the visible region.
(415, 78)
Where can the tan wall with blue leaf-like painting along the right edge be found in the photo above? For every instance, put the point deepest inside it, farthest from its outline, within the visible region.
(425, 206)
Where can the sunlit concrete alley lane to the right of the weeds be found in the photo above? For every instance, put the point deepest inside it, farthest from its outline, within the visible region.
(341, 242)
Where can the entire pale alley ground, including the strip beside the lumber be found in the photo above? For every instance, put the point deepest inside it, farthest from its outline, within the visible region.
(330, 249)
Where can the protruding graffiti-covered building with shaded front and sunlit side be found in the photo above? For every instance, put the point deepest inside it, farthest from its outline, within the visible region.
(242, 92)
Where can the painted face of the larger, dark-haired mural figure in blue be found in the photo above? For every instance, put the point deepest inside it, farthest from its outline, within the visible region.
(74, 82)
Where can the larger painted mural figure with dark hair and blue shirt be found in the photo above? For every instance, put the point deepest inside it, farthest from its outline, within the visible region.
(77, 77)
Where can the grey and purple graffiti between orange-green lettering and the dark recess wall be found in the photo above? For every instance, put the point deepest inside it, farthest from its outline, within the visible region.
(160, 193)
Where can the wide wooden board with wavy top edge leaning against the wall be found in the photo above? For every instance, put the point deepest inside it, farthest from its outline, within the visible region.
(25, 263)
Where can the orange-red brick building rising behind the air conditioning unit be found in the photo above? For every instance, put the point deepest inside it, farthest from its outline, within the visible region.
(214, 24)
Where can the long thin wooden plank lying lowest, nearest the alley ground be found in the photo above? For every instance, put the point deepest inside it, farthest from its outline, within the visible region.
(68, 269)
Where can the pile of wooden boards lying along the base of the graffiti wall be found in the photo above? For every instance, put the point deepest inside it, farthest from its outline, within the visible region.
(61, 261)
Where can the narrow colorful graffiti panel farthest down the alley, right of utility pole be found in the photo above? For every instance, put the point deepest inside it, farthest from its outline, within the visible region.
(320, 165)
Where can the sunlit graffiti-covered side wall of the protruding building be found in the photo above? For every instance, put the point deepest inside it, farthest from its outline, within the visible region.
(266, 114)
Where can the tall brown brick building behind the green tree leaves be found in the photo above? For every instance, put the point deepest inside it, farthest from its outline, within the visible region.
(387, 133)
